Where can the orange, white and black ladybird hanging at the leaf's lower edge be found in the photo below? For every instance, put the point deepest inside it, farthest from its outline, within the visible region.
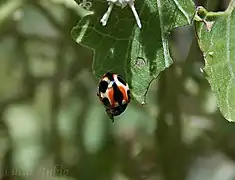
(114, 93)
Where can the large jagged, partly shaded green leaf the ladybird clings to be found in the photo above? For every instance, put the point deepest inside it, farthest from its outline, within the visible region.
(137, 54)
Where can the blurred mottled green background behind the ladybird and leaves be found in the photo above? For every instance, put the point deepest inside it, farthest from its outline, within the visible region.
(53, 126)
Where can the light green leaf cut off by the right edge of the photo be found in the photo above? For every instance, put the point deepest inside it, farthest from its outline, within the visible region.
(216, 38)
